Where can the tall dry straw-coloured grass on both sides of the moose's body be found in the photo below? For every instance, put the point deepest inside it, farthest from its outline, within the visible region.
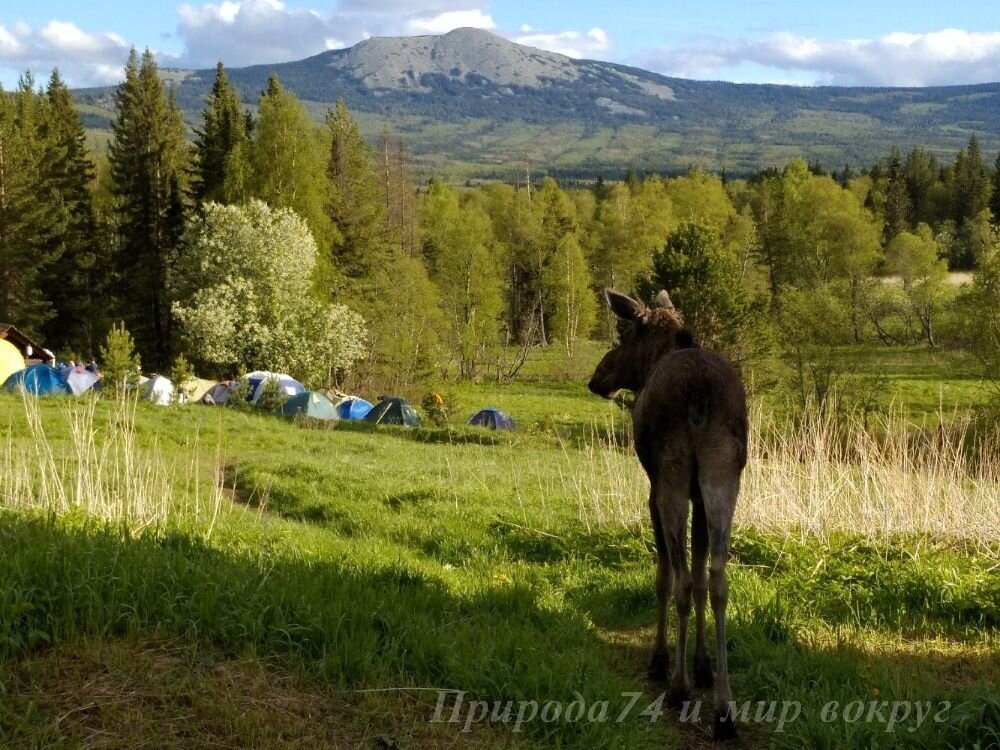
(876, 476)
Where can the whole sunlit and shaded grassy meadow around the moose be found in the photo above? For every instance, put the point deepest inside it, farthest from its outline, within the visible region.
(207, 577)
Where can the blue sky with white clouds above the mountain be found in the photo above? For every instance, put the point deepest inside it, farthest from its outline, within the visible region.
(846, 42)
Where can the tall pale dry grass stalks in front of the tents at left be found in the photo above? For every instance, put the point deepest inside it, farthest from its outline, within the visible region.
(107, 471)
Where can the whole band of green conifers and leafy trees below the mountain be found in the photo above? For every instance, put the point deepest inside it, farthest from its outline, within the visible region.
(267, 240)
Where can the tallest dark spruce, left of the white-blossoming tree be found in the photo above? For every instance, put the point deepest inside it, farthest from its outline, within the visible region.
(147, 157)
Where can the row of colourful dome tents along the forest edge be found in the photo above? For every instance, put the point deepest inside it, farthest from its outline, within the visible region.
(42, 380)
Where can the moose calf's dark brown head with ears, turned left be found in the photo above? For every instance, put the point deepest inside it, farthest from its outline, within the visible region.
(644, 335)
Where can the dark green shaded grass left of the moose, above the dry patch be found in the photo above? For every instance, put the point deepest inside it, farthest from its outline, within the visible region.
(353, 623)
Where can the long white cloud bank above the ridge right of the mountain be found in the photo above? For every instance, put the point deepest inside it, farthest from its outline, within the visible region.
(948, 56)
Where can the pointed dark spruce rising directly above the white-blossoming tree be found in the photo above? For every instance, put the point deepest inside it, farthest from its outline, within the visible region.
(221, 145)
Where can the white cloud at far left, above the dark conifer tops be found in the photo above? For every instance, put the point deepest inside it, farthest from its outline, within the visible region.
(84, 58)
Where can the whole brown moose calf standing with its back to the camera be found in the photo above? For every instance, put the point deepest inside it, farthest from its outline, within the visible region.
(689, 424)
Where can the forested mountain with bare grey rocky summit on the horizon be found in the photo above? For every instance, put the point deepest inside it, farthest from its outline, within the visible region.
(471, 104)
